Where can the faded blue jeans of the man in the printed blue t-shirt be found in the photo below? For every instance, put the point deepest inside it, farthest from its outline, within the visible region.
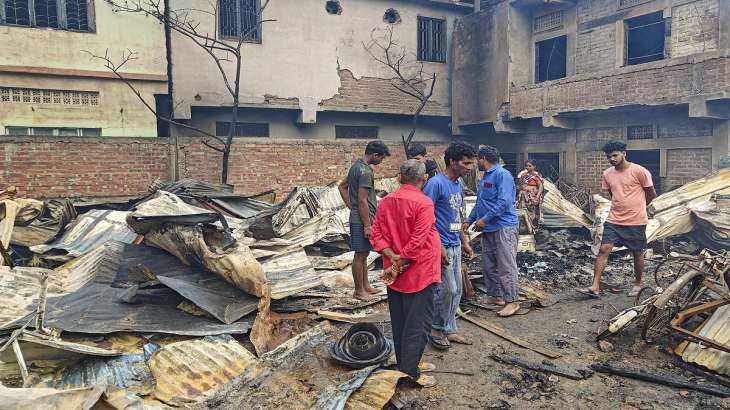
(448, 293)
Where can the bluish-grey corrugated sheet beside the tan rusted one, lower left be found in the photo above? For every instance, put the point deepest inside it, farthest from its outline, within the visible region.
(129, 372)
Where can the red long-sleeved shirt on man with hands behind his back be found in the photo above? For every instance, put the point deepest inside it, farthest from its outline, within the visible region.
(406, 223)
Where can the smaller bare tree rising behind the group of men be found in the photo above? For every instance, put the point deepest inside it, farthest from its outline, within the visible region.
(408, 75)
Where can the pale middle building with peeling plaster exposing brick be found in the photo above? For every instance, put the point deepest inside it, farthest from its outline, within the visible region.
(306, 74)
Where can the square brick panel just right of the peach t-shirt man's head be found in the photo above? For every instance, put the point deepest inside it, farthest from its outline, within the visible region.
(685, 165)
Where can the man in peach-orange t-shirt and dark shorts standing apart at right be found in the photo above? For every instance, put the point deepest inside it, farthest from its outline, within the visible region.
(631, 189)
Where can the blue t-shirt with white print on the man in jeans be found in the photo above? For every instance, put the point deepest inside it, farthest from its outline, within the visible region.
(447, 197)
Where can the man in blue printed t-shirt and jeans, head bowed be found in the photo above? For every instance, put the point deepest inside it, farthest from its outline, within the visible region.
(447, 195)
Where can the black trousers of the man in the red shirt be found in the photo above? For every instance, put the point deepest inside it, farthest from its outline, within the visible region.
(411, 315)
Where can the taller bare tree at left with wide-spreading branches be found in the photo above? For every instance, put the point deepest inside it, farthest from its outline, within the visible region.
(224, 52)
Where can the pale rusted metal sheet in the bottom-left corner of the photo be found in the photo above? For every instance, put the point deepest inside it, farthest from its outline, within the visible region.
(49, 399)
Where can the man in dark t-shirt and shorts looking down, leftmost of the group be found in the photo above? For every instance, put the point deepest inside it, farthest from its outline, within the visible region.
(358, 192)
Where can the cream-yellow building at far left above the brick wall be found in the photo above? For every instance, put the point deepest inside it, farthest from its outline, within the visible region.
(50, 86)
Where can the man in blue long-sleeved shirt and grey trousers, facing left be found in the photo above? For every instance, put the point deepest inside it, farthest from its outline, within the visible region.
(495, 216)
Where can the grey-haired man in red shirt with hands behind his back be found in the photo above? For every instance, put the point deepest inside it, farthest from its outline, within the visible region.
(405, 233)
